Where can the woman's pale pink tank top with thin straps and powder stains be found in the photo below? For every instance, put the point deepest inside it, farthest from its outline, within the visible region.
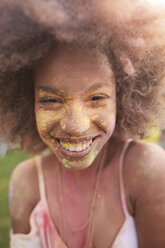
(43, 233)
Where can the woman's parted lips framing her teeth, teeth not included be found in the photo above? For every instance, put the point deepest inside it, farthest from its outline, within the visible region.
(79, 154)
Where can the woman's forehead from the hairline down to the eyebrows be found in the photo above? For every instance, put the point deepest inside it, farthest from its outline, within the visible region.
(67, 66)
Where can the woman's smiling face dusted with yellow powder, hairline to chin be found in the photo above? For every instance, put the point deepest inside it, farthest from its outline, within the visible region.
(75, 105)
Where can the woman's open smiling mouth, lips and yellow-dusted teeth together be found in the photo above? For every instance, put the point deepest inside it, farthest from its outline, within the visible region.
(74, 148)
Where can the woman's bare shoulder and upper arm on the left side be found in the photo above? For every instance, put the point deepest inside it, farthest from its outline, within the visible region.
(23, 195)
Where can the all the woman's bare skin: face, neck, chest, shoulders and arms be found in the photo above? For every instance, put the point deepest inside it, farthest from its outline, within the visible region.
(75, 108)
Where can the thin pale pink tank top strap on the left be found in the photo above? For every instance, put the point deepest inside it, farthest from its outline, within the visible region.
(38, 162)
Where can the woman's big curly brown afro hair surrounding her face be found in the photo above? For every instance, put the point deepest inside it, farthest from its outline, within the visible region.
(129, 33)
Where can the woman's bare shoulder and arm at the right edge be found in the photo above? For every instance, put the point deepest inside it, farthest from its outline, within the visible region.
(145, 183)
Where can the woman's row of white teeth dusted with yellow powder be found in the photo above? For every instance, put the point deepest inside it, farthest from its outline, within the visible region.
(76, 148)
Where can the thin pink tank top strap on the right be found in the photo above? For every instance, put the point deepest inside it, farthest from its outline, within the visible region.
(122, 189)
